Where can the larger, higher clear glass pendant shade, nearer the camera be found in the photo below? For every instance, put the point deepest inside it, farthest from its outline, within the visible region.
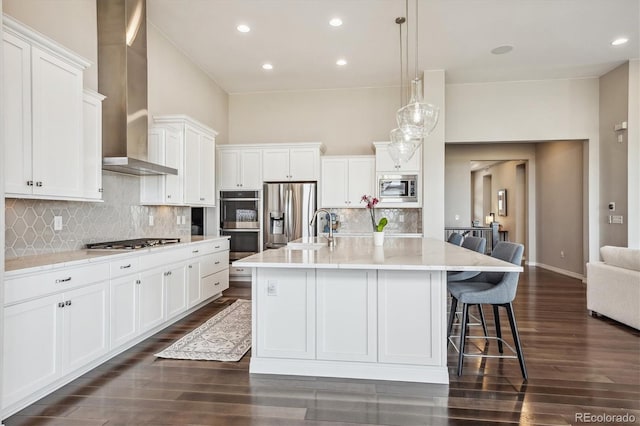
(417, 118)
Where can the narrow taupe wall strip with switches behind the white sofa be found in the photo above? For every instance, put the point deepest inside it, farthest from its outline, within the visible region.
(614, 95)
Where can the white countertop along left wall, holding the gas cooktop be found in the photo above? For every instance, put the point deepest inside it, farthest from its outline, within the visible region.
(65, 259)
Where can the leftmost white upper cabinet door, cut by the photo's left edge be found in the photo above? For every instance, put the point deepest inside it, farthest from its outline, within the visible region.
(16, 91)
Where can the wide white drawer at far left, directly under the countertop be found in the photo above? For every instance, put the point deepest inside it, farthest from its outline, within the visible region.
(36, 285)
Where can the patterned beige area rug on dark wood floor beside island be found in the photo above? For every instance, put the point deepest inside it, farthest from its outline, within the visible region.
(224, 337)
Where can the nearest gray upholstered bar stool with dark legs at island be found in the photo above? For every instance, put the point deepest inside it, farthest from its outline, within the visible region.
(493, 288)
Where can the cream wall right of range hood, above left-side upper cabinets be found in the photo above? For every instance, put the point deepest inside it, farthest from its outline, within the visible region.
(178, 86)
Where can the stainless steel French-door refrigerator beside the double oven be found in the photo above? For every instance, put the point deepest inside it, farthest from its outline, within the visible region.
(288, 209)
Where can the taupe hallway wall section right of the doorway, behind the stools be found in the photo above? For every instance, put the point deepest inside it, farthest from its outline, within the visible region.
(559, 208)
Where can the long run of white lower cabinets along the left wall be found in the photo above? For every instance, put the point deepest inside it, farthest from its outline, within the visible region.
(61, 321)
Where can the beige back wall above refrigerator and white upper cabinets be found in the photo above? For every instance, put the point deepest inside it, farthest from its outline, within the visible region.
(347, 121)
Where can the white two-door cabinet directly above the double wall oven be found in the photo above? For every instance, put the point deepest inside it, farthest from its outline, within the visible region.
(239, 168)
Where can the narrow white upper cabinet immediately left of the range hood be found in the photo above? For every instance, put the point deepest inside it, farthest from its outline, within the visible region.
(92, 137)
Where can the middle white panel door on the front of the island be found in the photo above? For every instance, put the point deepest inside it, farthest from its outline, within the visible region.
(346, 303)
